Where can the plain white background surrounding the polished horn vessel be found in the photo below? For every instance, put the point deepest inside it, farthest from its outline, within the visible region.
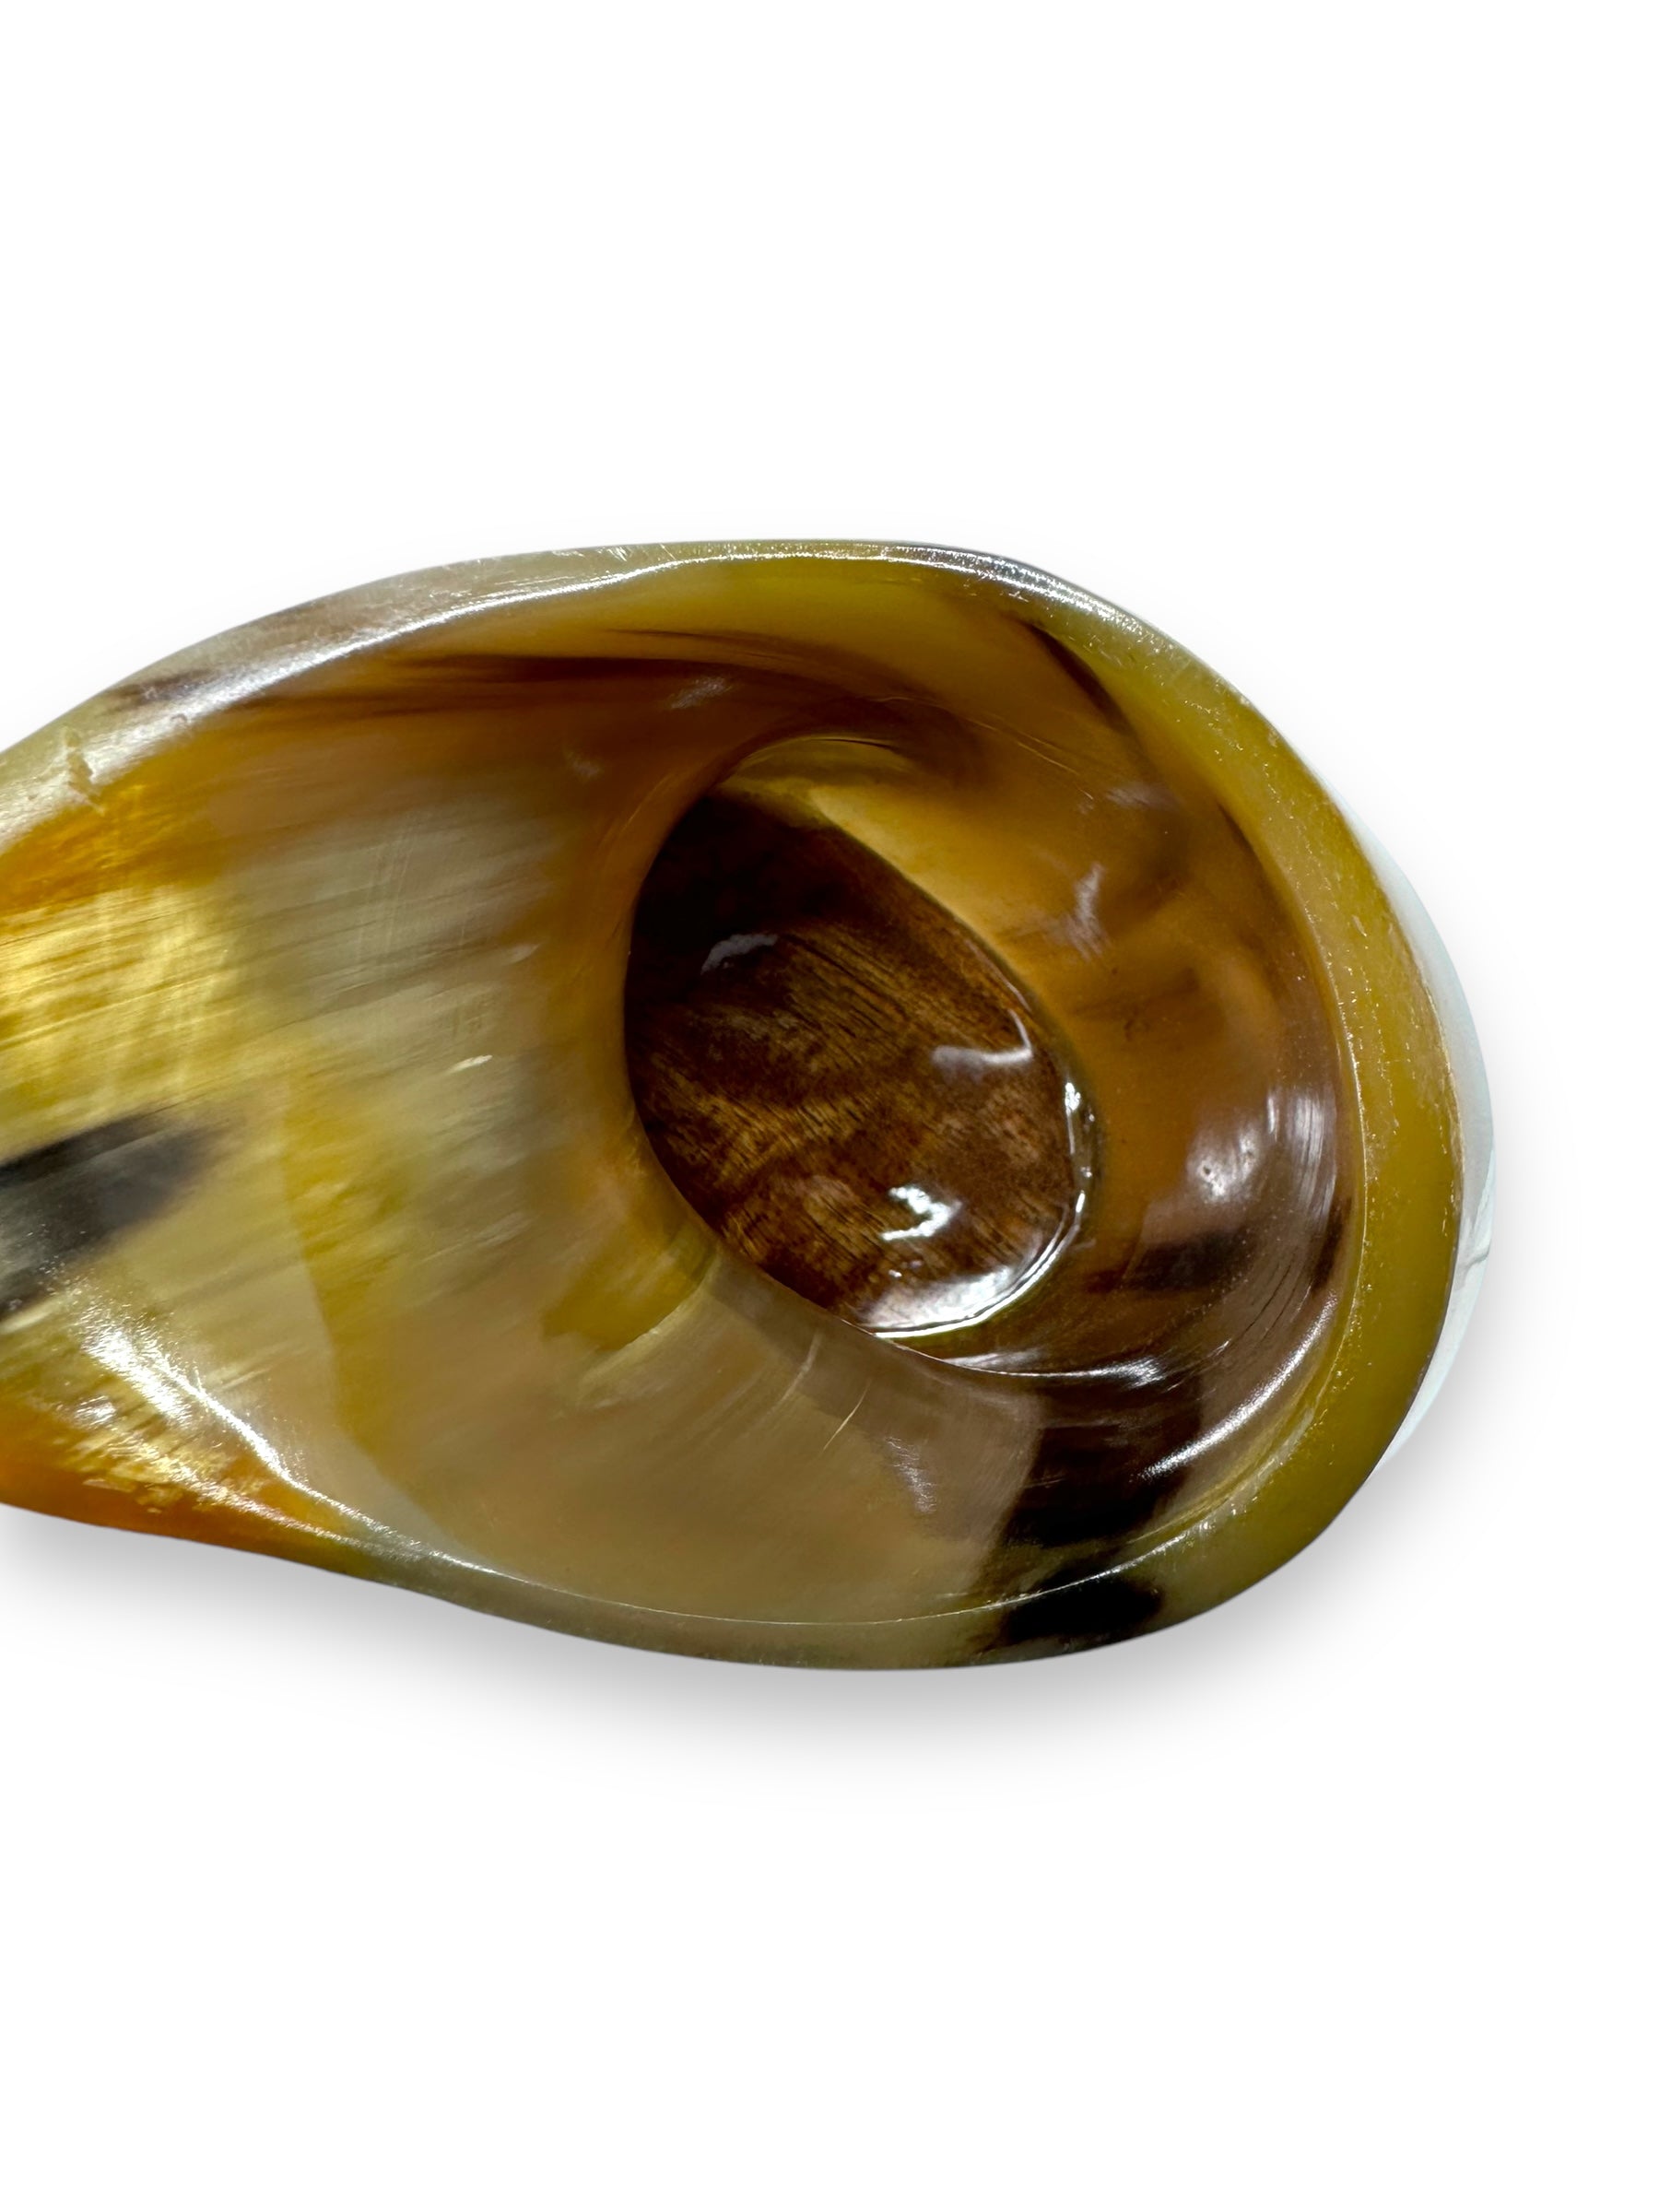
(1319, 337)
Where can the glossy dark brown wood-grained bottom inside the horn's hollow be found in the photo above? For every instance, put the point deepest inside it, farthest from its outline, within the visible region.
(837, 1074)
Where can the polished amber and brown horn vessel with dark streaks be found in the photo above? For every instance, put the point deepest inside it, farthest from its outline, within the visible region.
(844, 1105)
